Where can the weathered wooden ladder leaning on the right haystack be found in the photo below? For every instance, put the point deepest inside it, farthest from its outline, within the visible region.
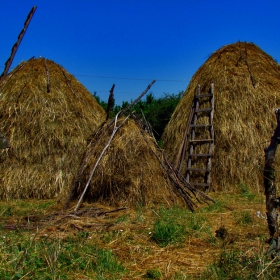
(200, 138)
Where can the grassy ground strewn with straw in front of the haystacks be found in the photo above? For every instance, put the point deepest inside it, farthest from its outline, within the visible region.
(145, 243)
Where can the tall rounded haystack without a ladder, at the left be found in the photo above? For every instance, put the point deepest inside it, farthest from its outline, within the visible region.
(47, 115)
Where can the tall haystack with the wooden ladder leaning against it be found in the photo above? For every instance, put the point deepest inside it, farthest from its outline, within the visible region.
(247, 91)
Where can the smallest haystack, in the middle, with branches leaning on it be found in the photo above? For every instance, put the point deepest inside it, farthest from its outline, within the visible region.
(130, 172)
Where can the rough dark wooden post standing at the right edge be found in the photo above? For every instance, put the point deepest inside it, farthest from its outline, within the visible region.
(272, 203)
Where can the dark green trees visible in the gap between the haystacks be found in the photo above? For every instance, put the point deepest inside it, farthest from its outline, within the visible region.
(157, 111)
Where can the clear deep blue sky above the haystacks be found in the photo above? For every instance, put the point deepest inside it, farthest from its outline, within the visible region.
(130, 43)
